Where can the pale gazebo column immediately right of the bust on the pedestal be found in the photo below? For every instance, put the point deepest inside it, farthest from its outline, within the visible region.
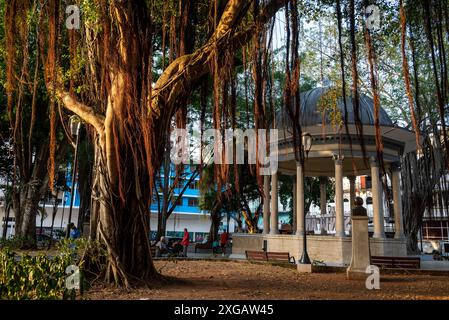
(376, 190)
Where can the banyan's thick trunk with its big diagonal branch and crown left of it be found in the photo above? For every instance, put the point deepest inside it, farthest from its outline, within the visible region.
(128, 111)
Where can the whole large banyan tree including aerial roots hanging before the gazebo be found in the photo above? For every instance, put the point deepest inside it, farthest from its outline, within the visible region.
(106, 74)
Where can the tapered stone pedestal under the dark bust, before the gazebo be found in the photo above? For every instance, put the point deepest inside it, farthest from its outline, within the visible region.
(360, 259)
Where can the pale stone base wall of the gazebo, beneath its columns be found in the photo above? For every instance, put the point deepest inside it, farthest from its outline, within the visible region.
(329, 250)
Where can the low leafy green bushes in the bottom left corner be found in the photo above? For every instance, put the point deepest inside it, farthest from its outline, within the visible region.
(43, 276)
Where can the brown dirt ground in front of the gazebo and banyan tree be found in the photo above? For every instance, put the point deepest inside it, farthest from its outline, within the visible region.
(243, 280)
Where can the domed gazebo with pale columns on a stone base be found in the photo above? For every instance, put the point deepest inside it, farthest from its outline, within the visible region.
(333, 153)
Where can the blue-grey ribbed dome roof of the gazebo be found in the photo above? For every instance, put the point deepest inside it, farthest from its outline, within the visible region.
(311, 110)
